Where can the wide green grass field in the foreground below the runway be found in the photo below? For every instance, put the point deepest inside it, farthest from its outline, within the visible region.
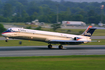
(82, 62)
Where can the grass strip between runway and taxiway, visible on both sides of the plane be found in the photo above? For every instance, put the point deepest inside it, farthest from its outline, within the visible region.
(37, 43)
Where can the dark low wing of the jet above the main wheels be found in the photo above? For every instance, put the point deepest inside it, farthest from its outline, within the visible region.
(69, 42)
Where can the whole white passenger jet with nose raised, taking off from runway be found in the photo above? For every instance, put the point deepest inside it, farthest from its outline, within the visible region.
(49, 37)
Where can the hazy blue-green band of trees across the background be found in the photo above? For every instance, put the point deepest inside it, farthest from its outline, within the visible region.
(46, 11)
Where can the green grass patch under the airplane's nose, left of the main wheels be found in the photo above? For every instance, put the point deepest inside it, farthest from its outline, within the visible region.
(24, 43)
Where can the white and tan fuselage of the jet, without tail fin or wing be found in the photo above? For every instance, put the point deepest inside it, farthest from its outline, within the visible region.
(20, 33)
